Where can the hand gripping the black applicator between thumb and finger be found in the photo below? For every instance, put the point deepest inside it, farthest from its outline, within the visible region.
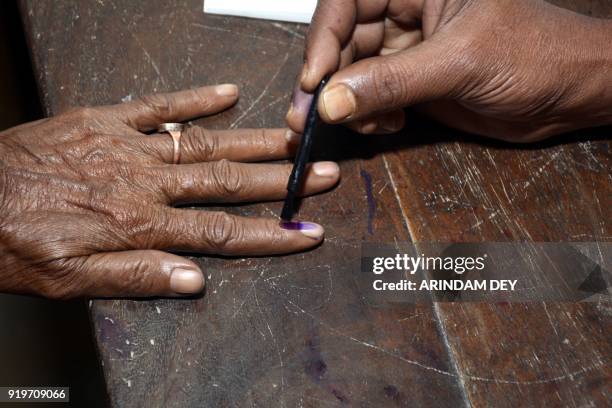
(514, 70)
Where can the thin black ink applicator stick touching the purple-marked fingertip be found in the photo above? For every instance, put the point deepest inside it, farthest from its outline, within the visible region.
(301, 158)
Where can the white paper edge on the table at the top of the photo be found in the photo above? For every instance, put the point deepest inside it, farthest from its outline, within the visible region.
(298, 11)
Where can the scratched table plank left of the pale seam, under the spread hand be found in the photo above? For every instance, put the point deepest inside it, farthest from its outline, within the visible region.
(282, 331)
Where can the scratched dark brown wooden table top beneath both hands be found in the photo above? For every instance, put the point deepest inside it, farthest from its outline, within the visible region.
(295, 330)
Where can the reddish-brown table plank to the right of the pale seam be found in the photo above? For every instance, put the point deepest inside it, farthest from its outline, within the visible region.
(457, 189)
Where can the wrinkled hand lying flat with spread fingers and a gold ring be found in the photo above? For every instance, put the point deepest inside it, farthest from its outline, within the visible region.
(86, 198)
